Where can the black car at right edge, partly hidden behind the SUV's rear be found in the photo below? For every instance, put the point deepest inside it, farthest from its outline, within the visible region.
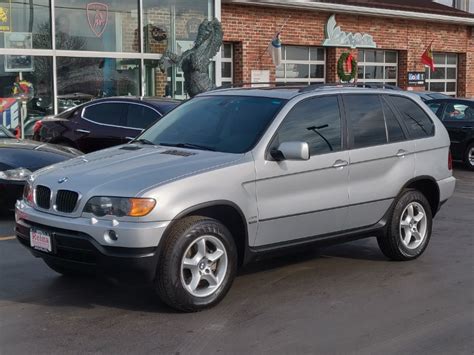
(458, 117)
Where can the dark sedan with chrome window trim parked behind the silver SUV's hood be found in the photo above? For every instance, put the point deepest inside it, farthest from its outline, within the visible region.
(102, 123)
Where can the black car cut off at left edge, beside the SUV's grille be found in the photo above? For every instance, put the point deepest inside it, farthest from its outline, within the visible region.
(19, 158)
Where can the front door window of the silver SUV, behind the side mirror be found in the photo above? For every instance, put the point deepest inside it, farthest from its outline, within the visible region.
(316, 121)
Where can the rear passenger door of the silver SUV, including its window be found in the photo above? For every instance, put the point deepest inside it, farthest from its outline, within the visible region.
(381, 158)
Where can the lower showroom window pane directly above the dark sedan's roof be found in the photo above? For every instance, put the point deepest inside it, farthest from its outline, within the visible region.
(83, 79)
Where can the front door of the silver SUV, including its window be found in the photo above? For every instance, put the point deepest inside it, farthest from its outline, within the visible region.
(301, 199)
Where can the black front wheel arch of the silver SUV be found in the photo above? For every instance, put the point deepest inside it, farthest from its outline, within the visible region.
(226, 212)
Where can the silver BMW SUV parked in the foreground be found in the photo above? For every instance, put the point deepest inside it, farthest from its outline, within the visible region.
(236, 173)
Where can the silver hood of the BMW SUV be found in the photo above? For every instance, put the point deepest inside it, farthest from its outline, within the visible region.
(128, 169)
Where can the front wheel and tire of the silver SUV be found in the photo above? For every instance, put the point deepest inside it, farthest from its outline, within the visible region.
(185, 243)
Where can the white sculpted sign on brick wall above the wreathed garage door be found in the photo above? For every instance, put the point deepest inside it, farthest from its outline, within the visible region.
(335, 37)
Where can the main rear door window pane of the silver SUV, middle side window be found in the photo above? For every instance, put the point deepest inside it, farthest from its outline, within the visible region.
(367, 120)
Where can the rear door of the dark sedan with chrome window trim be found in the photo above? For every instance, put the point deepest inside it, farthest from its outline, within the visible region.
(102, 126)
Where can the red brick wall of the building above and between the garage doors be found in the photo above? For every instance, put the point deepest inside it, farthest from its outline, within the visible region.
(252, 28)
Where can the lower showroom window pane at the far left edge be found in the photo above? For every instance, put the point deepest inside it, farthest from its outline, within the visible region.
(26, 90)
